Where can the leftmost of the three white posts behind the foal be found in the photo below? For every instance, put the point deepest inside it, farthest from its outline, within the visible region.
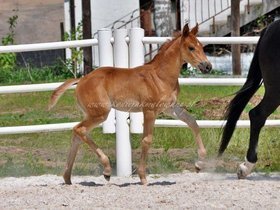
(105, 50)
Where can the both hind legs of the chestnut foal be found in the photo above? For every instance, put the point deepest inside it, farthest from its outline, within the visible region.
(81, 131)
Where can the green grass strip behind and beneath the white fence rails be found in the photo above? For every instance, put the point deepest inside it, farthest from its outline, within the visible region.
(173, 149)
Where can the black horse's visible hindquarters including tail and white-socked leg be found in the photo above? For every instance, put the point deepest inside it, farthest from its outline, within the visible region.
(264, 69)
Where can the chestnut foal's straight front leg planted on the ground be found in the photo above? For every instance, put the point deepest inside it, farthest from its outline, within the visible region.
(149, 121)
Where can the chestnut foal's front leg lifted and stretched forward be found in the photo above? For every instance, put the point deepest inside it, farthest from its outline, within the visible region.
(180, 113)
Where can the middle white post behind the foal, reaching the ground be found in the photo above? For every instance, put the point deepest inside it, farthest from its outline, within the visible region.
(123, 147)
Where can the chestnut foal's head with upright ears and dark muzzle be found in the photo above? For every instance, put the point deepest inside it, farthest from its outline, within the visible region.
(192, 50)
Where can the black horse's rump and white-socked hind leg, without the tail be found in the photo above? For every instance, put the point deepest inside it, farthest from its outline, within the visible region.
(268, 59)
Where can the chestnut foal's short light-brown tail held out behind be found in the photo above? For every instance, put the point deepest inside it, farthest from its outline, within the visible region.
(57, 93)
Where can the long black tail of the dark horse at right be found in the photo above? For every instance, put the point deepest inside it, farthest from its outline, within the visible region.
(242, 97)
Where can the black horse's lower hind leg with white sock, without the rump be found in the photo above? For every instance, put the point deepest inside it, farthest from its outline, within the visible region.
(258, 116)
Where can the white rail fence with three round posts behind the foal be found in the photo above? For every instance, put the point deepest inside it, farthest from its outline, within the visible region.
(113, 50)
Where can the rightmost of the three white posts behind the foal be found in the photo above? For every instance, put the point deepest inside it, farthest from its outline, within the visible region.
(136, 58)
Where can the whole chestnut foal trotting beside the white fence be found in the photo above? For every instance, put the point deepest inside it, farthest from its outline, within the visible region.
(151, 88)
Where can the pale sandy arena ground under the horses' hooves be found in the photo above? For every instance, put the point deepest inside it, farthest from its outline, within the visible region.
(175, 191)
